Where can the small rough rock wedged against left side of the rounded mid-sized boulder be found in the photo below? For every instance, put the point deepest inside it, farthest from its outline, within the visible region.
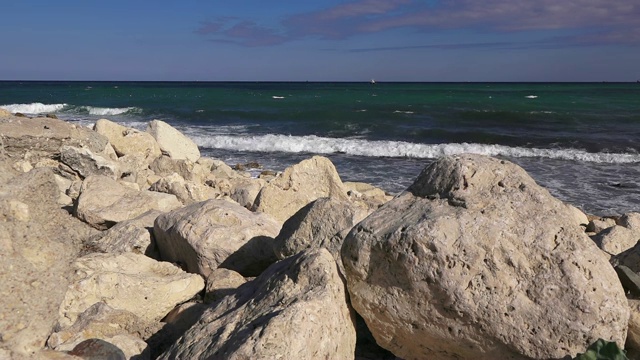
(133, 235)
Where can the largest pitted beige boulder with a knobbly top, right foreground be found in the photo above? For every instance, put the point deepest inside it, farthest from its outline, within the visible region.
(476, 261)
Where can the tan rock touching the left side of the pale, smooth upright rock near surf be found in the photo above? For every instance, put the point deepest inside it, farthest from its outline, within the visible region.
(128, 141)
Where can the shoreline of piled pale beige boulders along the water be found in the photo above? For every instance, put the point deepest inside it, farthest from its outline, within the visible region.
(129, 244)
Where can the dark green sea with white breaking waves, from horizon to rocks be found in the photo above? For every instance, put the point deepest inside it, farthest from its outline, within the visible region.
(579, 140)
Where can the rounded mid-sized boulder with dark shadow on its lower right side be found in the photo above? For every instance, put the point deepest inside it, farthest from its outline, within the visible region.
(216, 233)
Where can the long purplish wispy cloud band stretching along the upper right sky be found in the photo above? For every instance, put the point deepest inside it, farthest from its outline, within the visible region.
(599, 21)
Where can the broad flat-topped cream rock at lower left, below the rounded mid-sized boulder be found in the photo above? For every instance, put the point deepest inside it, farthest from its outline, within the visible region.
(128, 281)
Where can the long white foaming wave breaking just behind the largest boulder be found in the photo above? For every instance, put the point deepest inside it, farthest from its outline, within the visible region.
(361, 147)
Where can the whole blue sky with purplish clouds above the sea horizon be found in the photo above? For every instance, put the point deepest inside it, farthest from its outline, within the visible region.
(337, 40)
